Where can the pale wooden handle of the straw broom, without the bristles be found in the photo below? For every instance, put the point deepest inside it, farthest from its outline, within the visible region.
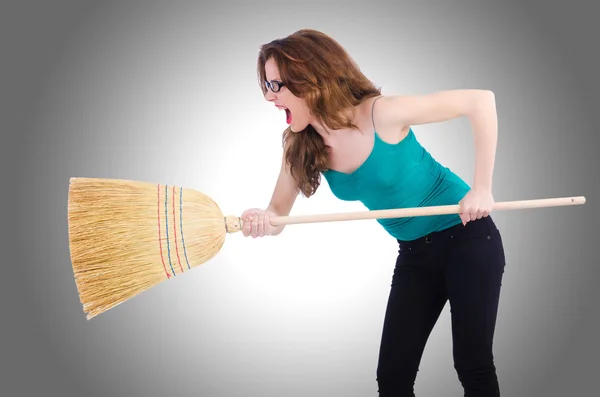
(423, 211)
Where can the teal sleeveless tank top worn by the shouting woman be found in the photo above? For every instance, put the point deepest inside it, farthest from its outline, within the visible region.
(401, 175)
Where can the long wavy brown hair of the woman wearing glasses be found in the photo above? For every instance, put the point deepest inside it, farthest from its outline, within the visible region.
(318, 69)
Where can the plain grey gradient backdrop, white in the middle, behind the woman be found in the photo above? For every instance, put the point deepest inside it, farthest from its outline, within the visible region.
(151, 92)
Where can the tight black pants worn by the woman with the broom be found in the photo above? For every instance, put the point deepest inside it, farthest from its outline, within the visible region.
(464, 265)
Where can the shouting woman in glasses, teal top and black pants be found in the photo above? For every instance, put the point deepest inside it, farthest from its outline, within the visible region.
(342, 128)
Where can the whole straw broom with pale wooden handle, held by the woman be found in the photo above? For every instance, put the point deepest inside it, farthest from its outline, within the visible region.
(127, 236)
